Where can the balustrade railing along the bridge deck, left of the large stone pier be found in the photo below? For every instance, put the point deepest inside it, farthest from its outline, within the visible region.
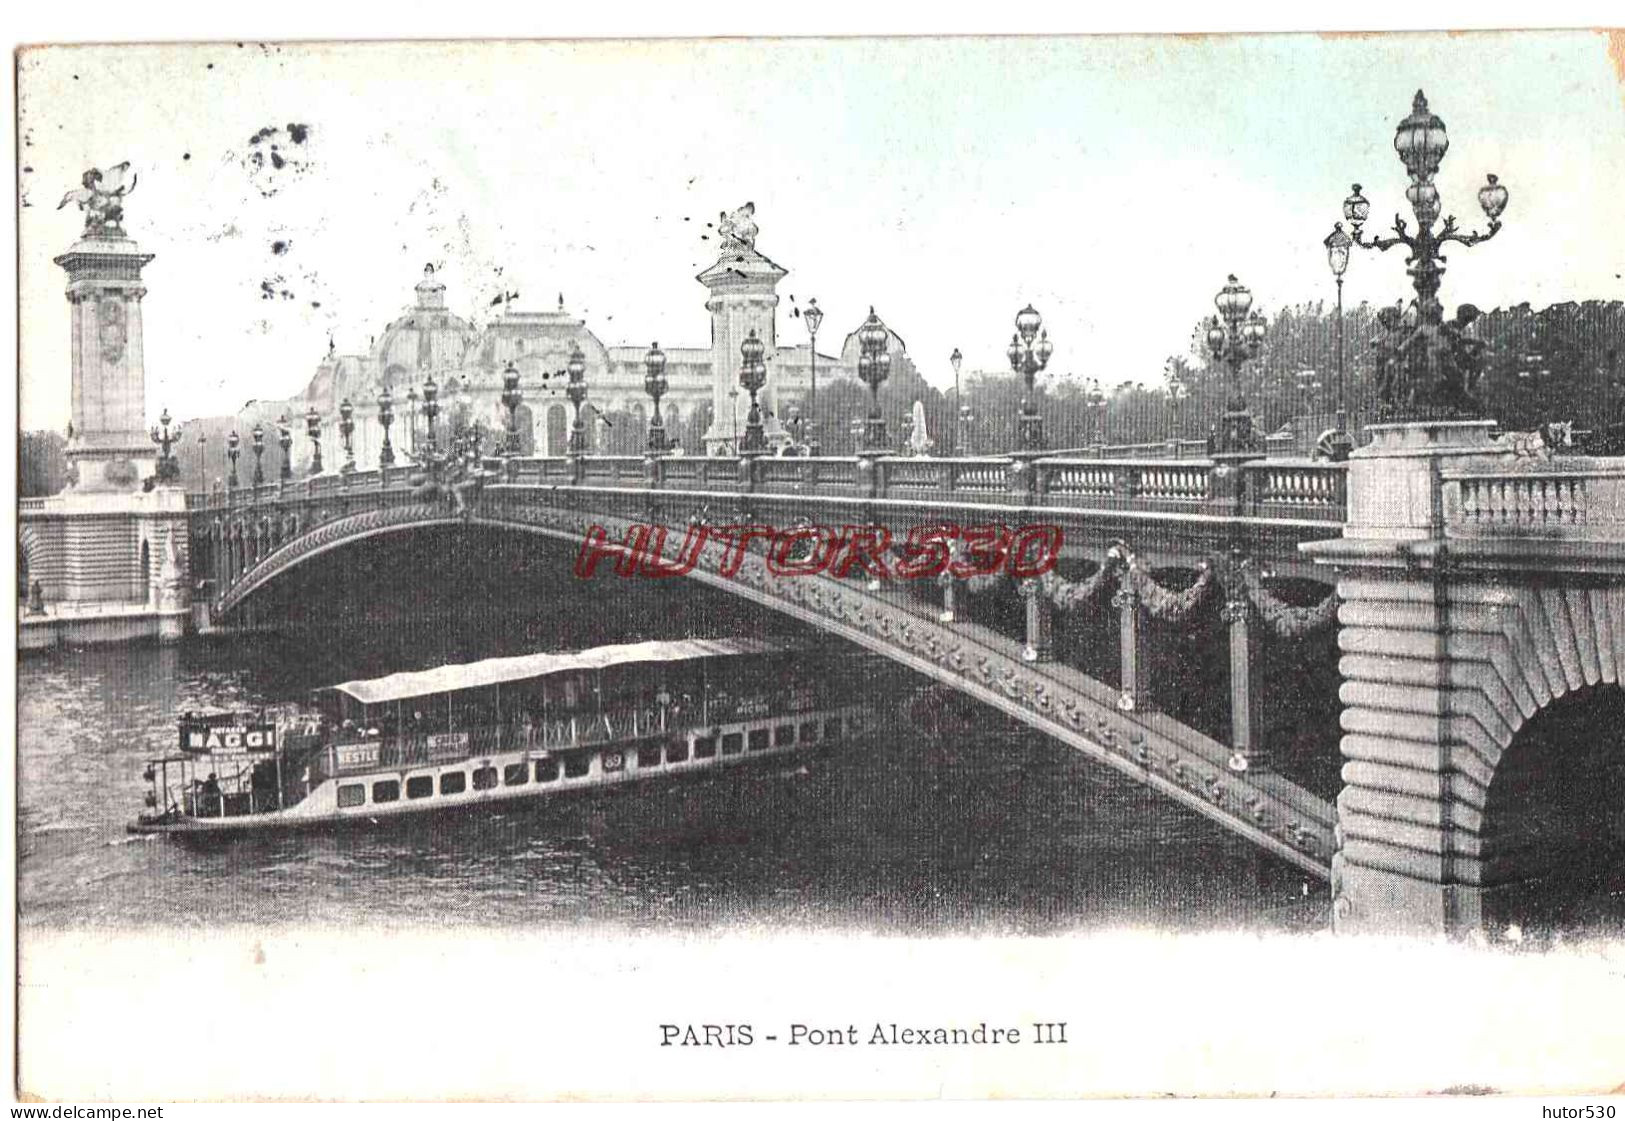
(1299, 490)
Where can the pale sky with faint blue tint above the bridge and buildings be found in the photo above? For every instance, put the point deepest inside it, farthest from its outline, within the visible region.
(1112, 183)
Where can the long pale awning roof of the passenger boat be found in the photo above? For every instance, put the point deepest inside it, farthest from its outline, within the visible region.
(496, 672)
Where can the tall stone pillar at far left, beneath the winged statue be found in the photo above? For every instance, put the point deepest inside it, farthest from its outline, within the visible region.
(110, 451)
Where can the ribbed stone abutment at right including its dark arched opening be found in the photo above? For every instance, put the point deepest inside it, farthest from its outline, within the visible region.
(1484, 755)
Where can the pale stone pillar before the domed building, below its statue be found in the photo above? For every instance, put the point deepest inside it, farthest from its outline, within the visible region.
(742, 300)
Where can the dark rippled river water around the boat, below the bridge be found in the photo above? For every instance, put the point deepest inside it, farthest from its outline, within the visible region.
(992, 829)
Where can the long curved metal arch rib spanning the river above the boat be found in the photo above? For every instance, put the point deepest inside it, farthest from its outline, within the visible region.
(1062, 701)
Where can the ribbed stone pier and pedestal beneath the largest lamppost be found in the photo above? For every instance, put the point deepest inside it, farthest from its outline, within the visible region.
(1415, 794)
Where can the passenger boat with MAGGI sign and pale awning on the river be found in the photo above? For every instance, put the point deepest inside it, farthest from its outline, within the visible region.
(506, 730)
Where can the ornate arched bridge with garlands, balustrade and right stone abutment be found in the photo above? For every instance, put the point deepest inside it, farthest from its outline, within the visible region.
(1475, 591)
